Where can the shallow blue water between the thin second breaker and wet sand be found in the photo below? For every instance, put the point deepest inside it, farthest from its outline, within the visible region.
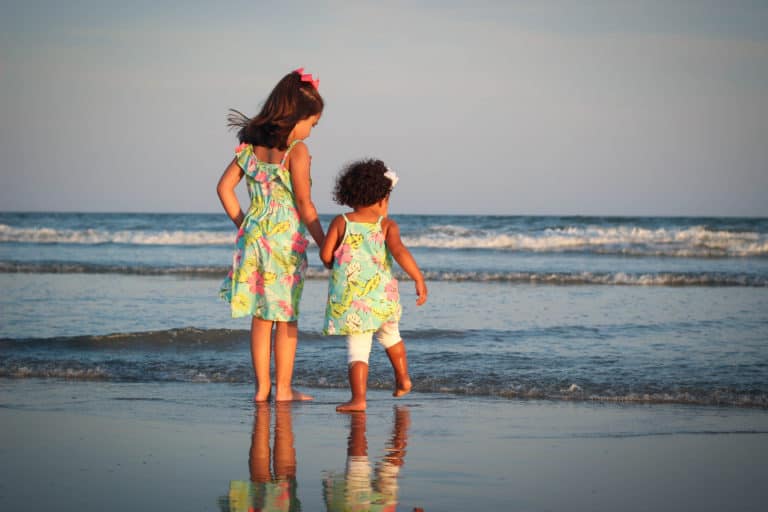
(689, 345)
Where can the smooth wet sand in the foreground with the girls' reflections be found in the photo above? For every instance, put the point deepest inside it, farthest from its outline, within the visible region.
(93, 446)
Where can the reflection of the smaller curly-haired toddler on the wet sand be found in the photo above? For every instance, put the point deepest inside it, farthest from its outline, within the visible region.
(358, 489)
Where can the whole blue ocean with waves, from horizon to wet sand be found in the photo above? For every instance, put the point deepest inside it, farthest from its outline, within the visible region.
(607, 309)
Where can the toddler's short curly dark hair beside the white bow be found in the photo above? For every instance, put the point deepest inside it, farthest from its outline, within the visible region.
(362, 183)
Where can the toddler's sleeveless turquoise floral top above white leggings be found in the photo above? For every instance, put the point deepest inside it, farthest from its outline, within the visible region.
(362, 294)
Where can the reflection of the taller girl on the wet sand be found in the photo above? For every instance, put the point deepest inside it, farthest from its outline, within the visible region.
(271, 488)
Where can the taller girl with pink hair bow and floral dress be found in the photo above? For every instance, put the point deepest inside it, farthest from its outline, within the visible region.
(267, 276)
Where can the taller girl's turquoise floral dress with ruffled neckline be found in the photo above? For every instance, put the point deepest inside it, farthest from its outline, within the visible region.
(270, 259)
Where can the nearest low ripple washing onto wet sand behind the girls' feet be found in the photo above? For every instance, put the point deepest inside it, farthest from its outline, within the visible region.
(188, 372)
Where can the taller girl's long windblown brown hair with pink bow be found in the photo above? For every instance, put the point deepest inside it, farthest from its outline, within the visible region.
(291, 101)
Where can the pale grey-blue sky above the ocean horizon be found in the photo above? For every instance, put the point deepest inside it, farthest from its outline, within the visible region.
(521, 107)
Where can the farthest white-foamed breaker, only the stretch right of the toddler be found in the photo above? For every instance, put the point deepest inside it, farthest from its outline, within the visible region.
(696, 241)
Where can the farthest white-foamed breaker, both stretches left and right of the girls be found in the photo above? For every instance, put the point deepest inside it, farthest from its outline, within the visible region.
(684, 242)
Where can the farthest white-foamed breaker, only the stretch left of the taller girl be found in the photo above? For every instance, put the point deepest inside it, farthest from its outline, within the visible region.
(47, 235)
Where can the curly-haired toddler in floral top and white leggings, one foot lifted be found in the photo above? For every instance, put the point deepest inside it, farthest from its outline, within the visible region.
(363, 297)
